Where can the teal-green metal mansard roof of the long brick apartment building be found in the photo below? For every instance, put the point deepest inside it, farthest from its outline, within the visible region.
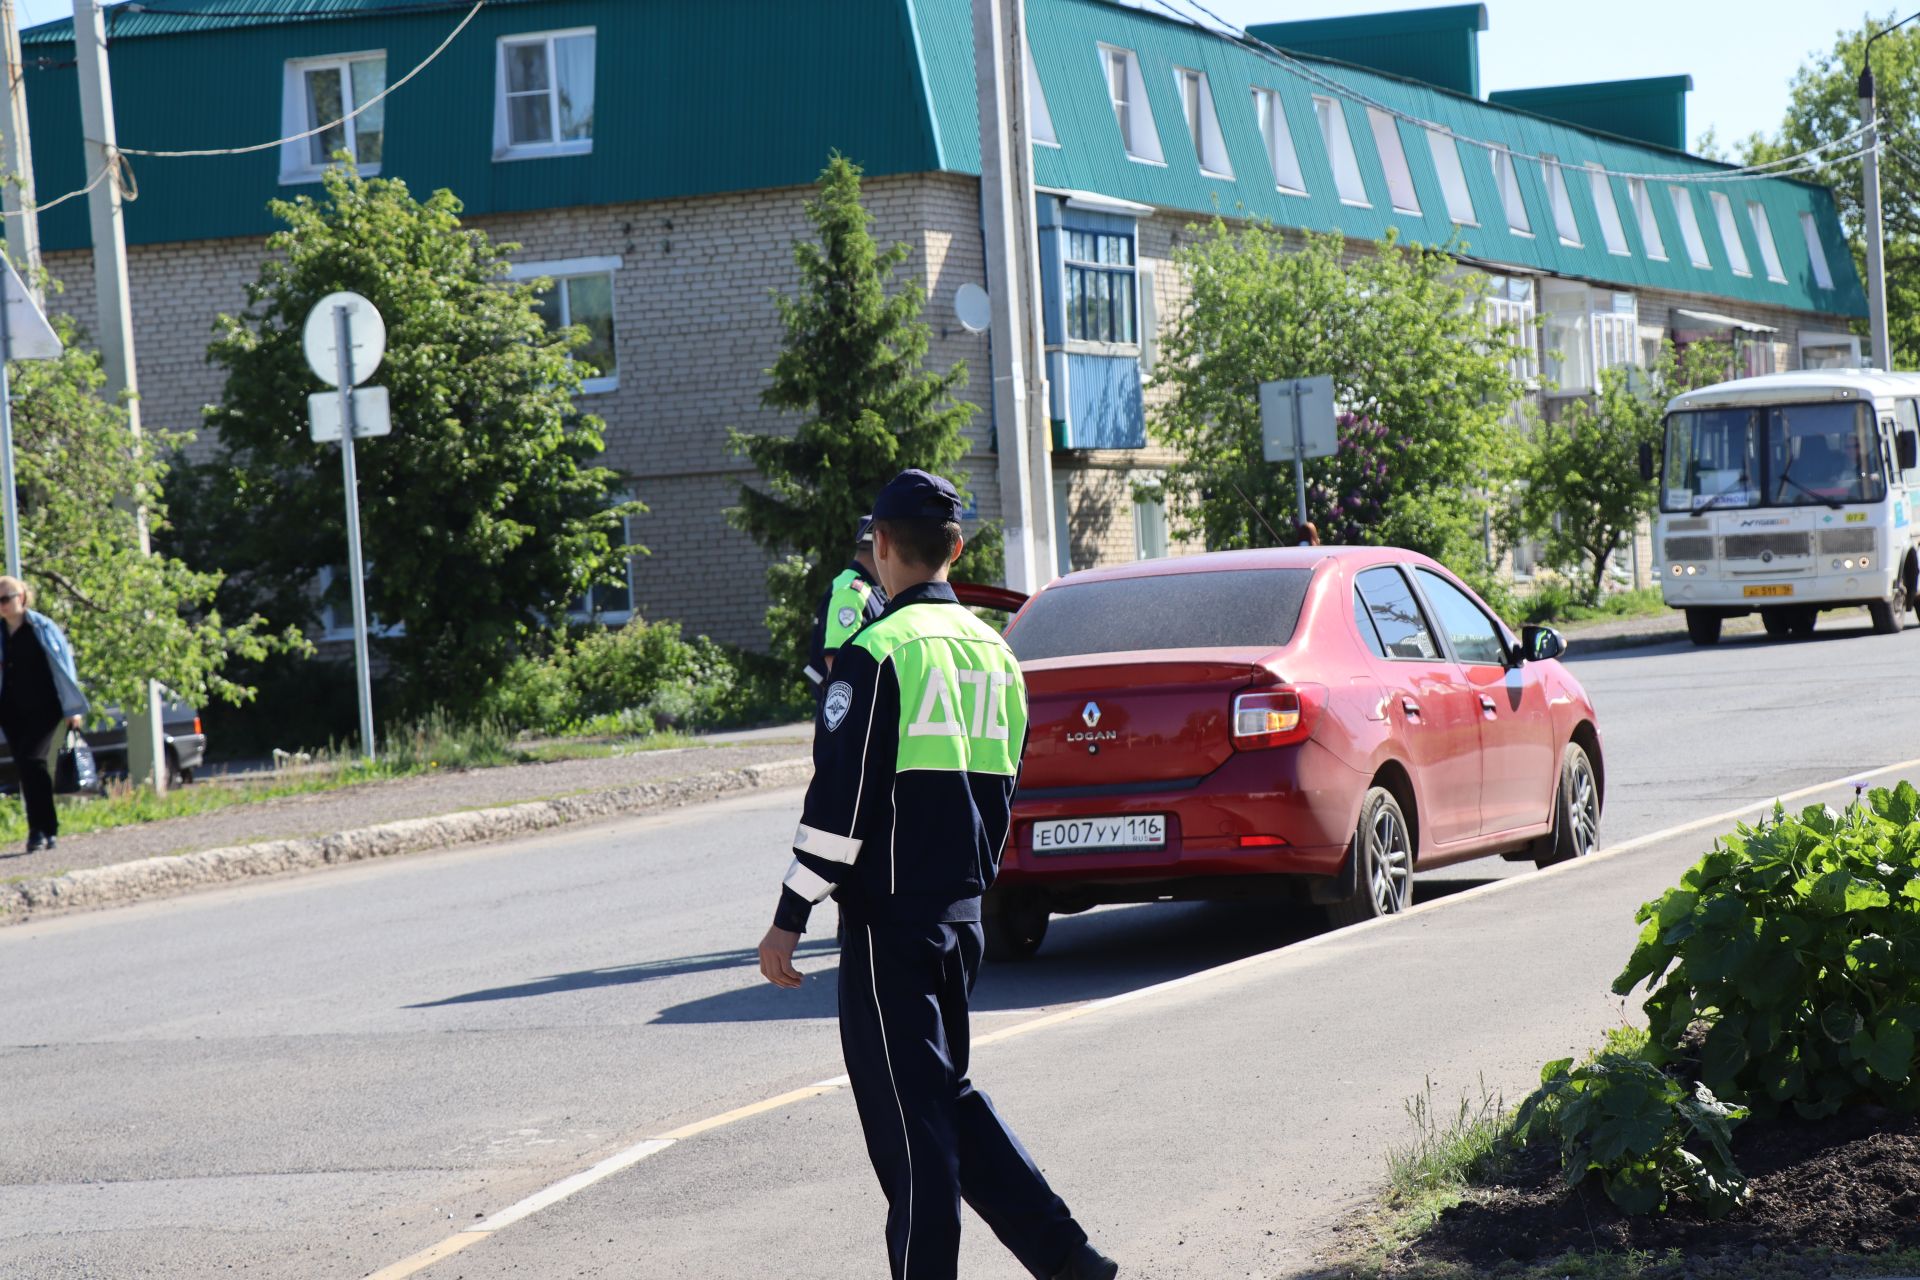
(702, 99)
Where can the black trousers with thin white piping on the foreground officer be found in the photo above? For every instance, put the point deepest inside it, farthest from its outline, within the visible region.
(932, 1137)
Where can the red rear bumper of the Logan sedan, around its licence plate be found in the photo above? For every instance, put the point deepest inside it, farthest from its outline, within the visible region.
(1220, 826)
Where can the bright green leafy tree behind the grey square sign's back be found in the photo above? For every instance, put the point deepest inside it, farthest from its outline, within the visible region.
(1424, 377)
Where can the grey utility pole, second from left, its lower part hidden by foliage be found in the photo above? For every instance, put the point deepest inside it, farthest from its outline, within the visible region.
(147, 761)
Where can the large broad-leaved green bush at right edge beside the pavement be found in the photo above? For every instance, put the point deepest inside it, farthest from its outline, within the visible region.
(1796, 947)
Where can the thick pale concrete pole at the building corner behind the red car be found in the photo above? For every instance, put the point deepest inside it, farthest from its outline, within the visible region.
(1020, 410)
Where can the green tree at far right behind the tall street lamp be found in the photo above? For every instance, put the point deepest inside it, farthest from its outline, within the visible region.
(1823, 107)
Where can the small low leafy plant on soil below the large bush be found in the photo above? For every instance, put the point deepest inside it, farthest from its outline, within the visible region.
(1639, 1129)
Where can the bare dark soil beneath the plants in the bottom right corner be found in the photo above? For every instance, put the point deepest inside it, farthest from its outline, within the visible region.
(1850, 1183)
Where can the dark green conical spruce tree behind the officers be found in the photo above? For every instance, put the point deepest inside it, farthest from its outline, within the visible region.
(853, 371)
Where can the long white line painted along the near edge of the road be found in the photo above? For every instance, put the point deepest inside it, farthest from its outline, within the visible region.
(650, 1147)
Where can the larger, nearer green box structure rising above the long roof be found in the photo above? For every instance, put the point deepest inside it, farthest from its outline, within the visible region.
(1435, 47)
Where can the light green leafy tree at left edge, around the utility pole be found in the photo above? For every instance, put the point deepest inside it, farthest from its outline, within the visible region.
(132, 617)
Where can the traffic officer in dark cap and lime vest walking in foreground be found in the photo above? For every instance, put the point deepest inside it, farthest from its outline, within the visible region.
(917, 753)
